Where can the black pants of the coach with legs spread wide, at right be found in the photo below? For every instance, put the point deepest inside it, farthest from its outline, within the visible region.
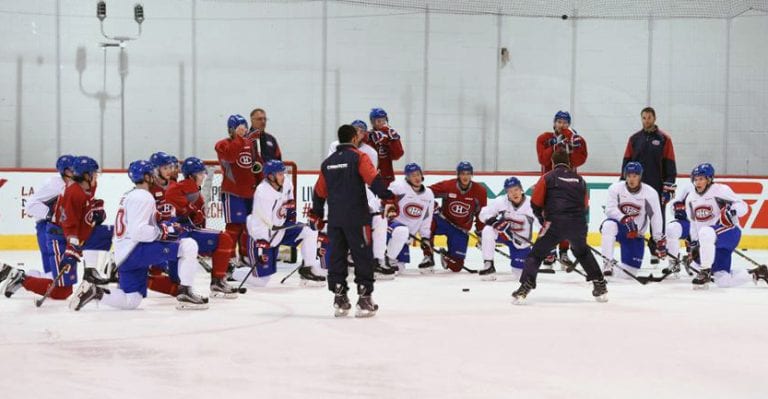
(575, 231)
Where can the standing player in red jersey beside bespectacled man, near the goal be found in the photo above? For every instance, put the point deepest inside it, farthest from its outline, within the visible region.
(242, 172)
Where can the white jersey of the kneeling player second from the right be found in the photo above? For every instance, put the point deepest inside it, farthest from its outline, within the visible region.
(643, 205)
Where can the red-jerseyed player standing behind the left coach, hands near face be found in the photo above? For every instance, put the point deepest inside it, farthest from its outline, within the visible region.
(387, 143)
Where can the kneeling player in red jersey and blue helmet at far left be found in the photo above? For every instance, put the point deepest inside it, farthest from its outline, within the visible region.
(77, 226)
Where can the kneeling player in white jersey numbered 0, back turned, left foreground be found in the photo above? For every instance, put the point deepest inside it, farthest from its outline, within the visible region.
(139, 243)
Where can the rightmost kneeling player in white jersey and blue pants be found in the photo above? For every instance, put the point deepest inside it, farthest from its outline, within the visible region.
(714, 212)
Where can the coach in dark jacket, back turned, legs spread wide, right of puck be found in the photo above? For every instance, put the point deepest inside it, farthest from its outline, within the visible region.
(560, 204)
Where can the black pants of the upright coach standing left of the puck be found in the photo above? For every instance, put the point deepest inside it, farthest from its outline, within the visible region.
(357, 241)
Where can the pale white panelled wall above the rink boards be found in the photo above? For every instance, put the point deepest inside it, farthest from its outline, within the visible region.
(197, 62)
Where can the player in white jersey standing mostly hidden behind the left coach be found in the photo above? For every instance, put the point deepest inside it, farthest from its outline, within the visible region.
(378, 222)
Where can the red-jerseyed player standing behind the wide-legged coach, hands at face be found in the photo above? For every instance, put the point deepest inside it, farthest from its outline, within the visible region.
(562, 139)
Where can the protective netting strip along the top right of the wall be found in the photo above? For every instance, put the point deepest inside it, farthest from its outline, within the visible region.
(608, 9)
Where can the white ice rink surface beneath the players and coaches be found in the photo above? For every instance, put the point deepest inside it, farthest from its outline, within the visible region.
(429, 339)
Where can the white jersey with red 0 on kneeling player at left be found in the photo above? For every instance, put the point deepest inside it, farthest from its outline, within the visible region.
(135, 222)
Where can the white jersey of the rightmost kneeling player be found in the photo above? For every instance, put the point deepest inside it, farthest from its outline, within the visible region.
(704, 209)
